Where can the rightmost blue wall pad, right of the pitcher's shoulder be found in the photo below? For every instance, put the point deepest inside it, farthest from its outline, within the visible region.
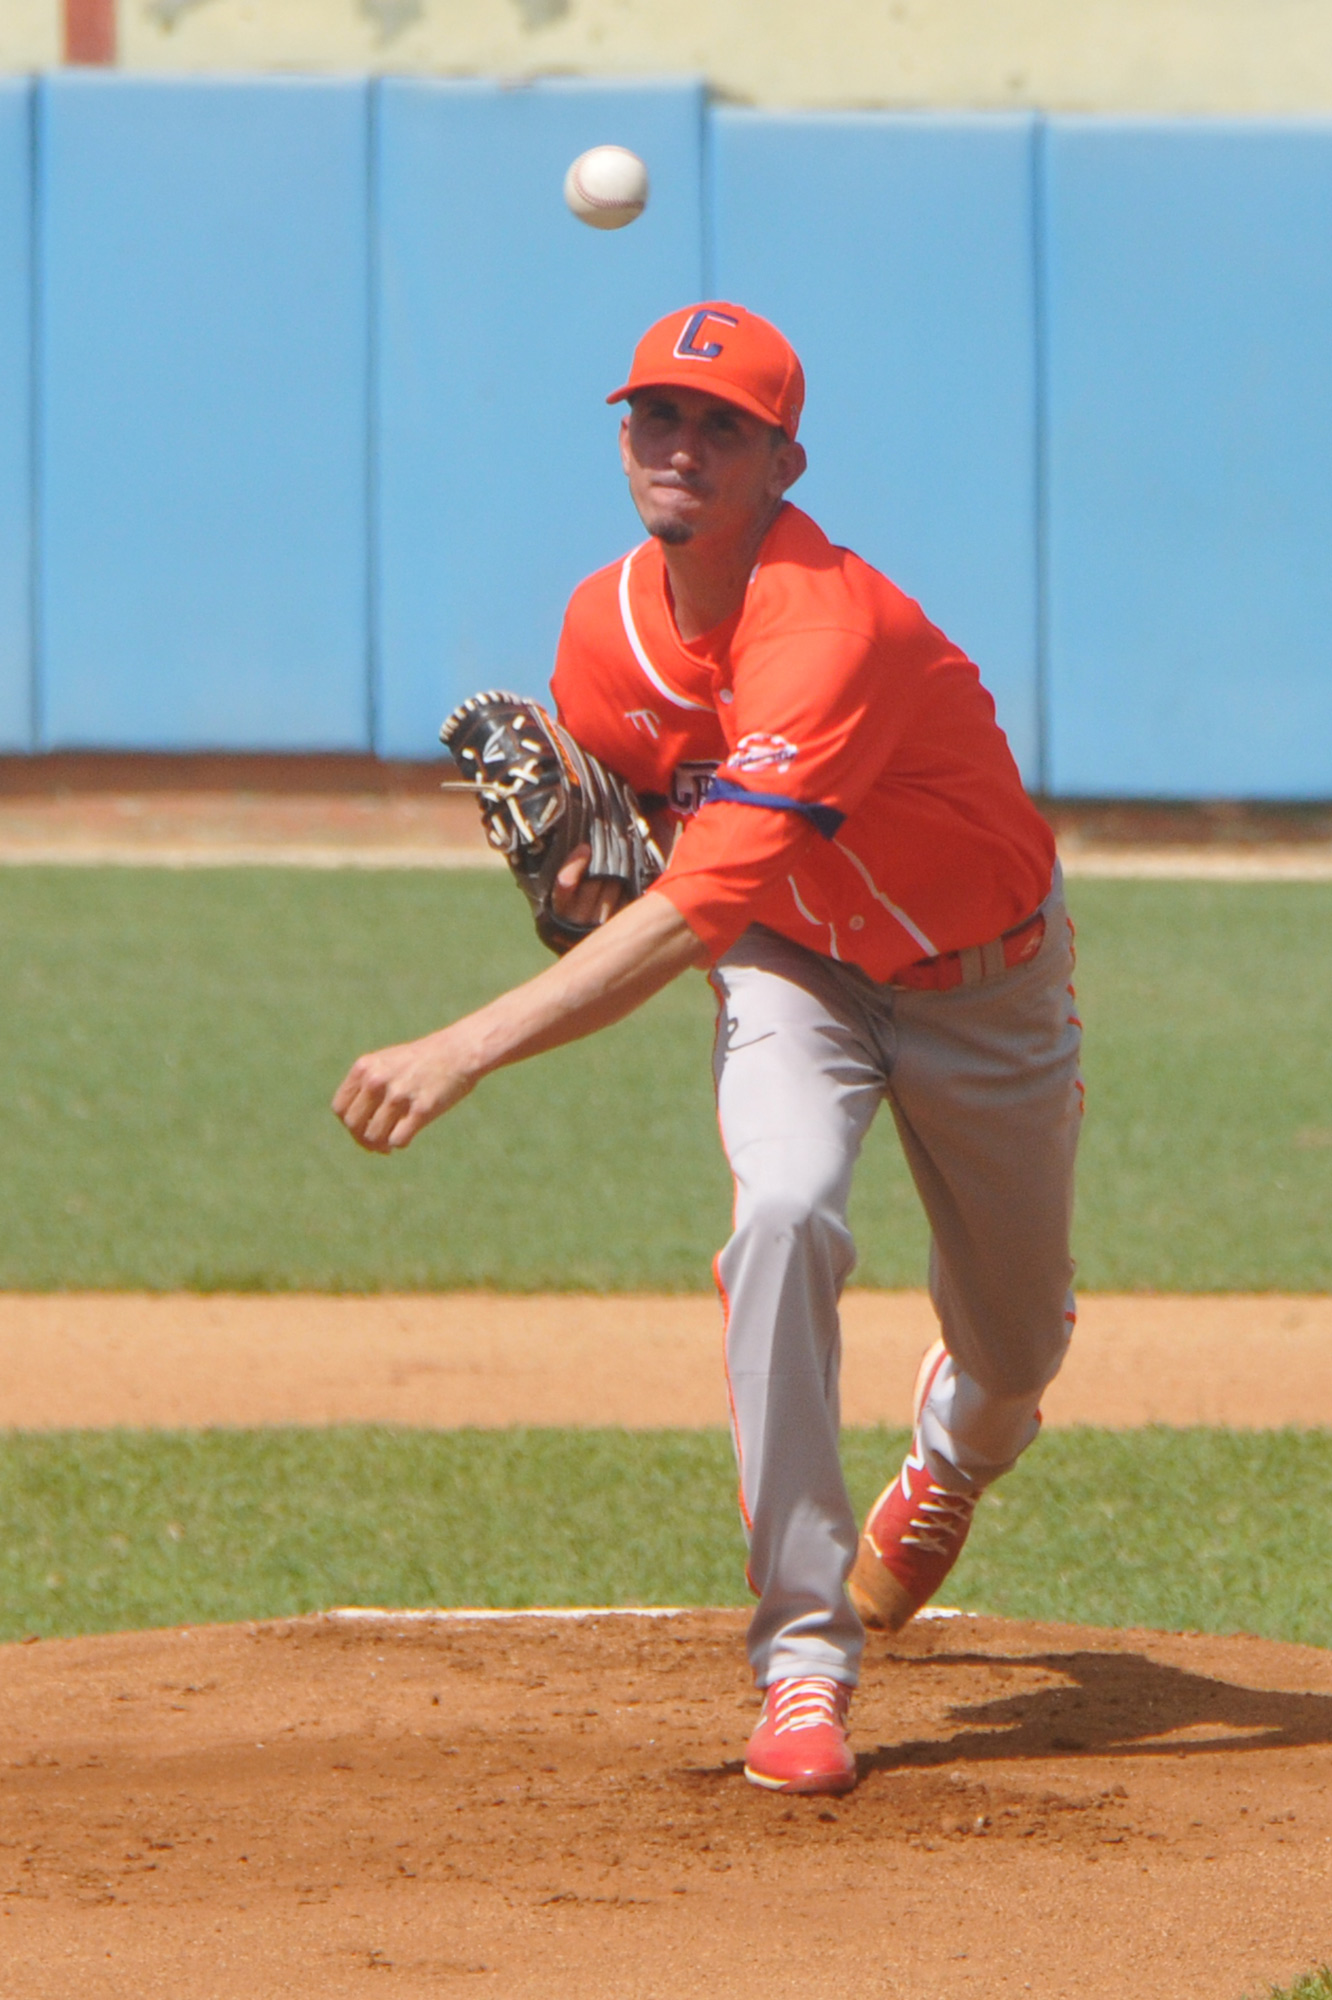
(1189, 423)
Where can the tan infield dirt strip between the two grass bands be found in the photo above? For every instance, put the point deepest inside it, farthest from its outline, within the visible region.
(449, 1359)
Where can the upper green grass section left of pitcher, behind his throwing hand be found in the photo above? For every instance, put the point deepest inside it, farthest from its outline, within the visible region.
(183, 1035)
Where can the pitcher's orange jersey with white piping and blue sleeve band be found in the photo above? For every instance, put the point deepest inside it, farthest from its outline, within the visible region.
(833, 757)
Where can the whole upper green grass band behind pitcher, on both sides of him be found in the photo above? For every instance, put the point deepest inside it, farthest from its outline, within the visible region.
(175, 1041)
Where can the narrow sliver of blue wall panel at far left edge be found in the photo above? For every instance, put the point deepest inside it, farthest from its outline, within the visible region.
(15, 415)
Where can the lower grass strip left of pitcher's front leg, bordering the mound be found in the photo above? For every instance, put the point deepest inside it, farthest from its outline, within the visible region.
(105, 1531)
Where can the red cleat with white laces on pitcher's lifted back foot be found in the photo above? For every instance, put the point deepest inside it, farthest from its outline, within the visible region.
(913, 1533)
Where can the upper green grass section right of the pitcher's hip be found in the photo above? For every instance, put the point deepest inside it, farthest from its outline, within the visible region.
(1209, 1071)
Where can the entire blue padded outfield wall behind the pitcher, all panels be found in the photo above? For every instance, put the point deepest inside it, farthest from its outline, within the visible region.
(321, 447)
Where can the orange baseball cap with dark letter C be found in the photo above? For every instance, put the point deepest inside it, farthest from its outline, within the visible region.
(729, 353)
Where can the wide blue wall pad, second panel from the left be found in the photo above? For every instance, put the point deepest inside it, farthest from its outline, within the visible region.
(203, 413)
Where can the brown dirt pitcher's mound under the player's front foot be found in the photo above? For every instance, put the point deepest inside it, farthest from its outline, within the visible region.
(553, 1807)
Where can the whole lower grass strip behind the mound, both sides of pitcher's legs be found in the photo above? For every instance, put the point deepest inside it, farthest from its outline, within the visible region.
(99, 1531)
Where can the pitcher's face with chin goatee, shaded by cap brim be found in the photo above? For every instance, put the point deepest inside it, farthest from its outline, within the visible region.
(701, 467)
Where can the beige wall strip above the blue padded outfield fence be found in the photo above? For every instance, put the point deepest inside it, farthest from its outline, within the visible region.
(1063, 55)
